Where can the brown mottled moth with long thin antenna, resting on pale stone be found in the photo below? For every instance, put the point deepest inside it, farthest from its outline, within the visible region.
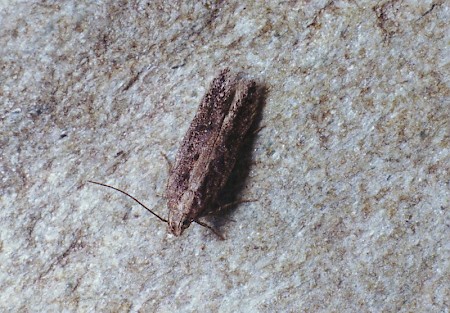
(208, 151)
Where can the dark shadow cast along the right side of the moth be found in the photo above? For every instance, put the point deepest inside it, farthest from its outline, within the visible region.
(229, 199)
